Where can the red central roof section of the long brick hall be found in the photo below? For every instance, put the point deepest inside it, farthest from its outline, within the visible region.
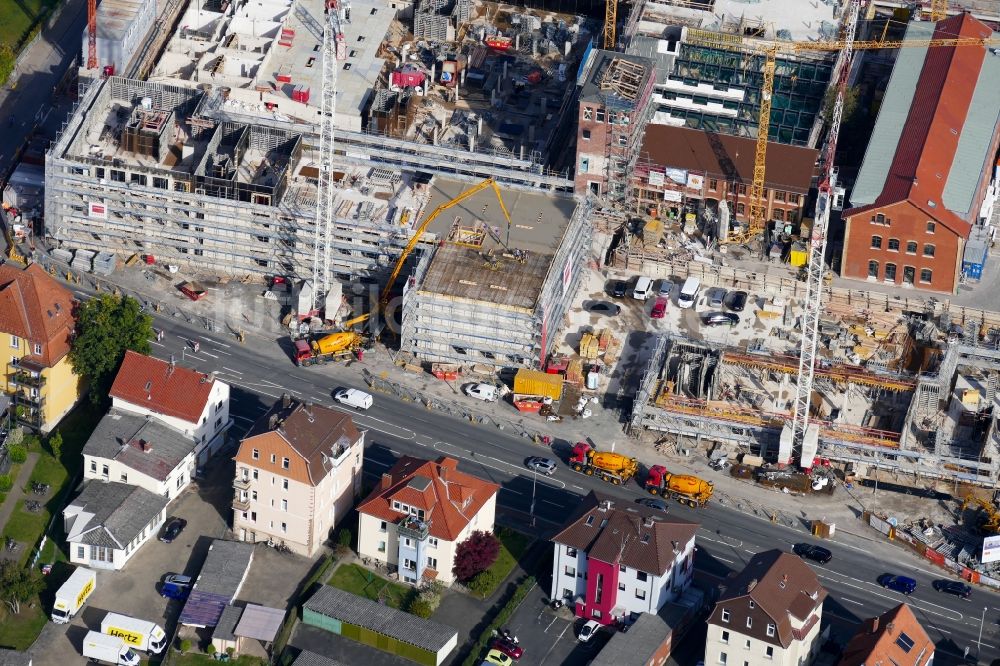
(929, 141)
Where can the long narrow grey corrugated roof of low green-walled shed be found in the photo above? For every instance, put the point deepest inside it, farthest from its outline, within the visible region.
(362, 612)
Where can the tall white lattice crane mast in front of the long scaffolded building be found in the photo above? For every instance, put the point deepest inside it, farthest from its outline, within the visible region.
(334, 49)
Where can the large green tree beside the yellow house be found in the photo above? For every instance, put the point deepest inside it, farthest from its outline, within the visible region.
(107, 326)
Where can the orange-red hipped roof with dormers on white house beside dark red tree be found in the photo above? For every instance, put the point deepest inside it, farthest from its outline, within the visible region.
(448, 498)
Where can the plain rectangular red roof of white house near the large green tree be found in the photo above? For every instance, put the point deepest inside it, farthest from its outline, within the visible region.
(164, 388)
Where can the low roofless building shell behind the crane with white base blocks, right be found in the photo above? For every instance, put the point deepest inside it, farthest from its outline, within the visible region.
(940, 428)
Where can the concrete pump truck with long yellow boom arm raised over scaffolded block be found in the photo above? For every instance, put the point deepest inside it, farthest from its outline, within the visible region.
(346, 342)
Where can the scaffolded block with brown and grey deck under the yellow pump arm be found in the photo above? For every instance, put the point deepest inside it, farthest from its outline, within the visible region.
(492, 293)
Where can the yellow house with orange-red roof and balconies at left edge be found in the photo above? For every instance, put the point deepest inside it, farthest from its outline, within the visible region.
(36, 326)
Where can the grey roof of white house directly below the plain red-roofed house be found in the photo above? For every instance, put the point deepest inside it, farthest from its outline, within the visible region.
(119, 436)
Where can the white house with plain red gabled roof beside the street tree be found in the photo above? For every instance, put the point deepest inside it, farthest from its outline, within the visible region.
(192, 402)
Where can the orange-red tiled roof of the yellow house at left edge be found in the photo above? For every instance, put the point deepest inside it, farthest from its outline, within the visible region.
(35, 307)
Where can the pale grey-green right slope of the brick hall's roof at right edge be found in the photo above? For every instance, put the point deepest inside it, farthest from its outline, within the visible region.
(975, 139)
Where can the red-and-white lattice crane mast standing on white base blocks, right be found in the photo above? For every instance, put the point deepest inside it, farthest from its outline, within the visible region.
(805, 439)
